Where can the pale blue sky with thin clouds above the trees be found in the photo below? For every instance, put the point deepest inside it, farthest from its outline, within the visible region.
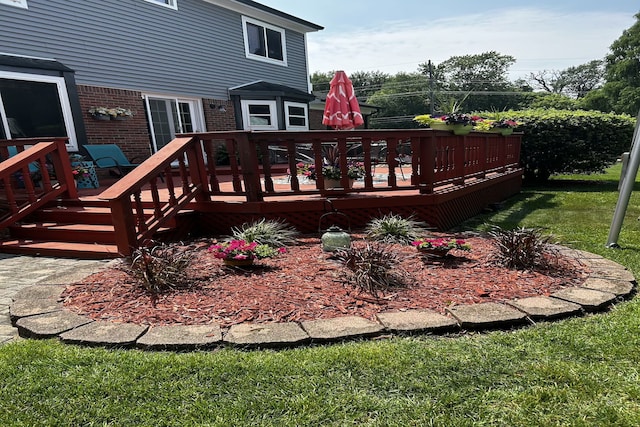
(398, 35)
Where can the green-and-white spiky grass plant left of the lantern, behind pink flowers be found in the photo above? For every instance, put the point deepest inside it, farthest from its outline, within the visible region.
(274, 233)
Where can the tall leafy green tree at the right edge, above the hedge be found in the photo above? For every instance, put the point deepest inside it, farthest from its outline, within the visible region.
(621, 92)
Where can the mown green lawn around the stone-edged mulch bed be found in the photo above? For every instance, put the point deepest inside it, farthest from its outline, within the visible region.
(576, 372)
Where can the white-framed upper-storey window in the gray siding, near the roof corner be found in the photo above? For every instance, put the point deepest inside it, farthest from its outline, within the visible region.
(264, 42)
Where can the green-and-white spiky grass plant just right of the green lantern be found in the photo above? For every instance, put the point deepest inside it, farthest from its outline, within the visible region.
(392, 228)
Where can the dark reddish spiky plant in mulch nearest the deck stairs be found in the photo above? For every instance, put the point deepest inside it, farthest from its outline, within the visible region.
(161, 267)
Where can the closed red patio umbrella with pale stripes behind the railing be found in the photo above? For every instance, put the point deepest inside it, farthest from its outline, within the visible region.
(342, 110)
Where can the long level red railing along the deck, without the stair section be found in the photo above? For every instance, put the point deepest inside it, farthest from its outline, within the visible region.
(438, 158)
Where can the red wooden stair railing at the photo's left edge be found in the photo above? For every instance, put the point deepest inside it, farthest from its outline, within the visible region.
(42, 152)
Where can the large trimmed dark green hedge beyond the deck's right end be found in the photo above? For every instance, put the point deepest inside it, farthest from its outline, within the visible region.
(560, 141)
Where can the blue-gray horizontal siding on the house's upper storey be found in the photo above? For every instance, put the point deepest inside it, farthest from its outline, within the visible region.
(197, 50)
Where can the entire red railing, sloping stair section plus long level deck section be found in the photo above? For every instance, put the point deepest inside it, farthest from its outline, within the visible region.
(264, 164)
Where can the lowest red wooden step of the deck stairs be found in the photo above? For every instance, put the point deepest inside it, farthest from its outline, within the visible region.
(59, 249)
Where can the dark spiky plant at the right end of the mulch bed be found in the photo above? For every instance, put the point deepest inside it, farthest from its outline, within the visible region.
(523, 248)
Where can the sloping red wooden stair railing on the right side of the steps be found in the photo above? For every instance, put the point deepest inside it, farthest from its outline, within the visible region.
(134, 221)
